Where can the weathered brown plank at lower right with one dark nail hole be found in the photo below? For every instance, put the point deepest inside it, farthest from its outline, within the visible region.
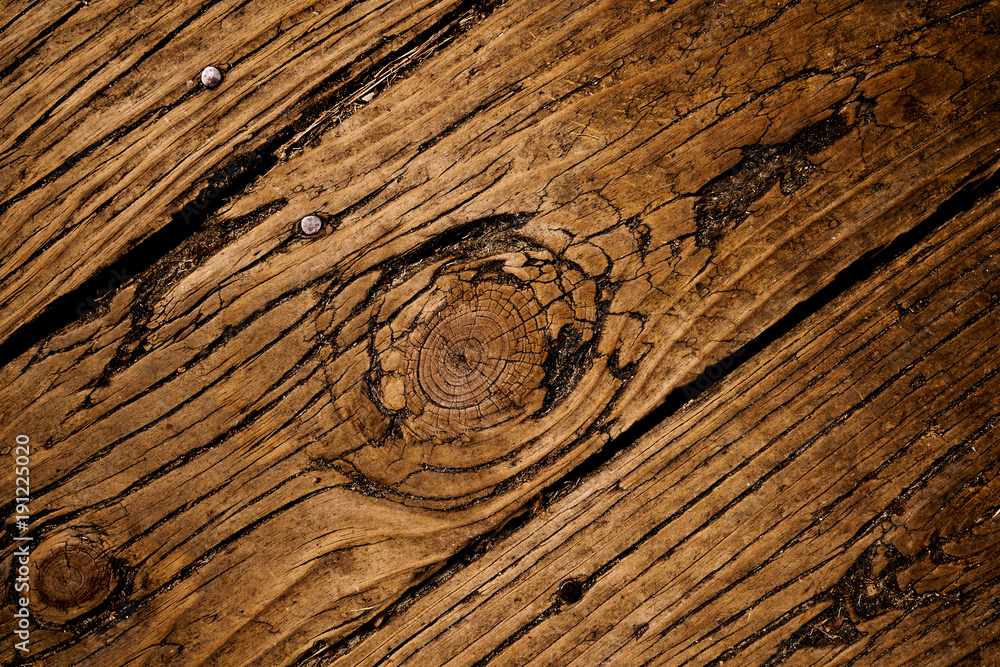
(835, 501)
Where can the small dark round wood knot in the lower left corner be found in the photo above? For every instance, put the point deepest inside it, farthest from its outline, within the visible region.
(73, 578)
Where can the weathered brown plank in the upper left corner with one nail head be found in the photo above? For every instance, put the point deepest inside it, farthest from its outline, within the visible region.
(109, 138)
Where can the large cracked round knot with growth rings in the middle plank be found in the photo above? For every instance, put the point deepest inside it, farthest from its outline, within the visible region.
(467, 362)
